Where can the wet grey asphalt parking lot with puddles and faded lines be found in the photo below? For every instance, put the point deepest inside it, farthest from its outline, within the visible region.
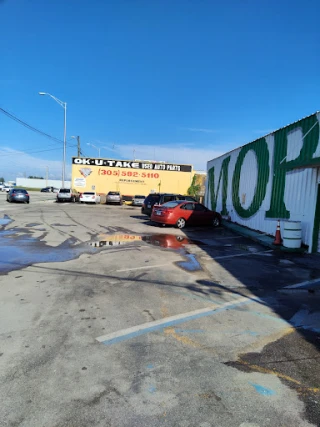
(107, 320)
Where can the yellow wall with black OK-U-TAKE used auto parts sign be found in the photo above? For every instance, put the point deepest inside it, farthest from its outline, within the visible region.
(129, 177)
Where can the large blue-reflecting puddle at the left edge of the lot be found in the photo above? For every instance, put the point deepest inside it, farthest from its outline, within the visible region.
(17, 252)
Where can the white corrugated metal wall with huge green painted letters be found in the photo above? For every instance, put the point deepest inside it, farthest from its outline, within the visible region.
(274, 177)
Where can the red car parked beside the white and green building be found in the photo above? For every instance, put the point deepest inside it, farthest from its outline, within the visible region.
(181, 213)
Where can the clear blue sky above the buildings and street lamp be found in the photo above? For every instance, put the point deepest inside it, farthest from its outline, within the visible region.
(175, 80)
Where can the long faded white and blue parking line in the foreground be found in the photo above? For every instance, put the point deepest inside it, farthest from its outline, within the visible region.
(158, 325)
